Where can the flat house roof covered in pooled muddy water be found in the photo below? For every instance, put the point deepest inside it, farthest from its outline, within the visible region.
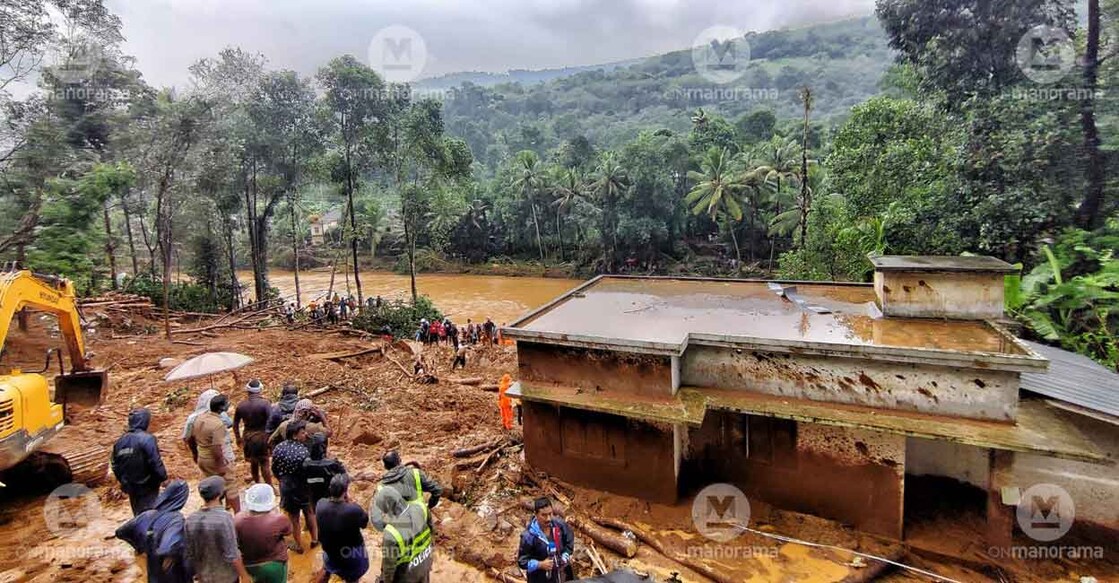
(664, 315)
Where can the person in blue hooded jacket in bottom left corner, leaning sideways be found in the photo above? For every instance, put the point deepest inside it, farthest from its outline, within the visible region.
(159, 534)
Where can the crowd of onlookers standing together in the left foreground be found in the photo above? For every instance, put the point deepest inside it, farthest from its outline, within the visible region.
(287, 440)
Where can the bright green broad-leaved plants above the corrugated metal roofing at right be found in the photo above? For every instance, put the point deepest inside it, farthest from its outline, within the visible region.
(1071, 299)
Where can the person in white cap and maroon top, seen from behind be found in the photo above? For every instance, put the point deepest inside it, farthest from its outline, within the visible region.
(261, 534)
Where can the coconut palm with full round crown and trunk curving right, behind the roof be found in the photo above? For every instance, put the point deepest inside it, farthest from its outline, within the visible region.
(718, 187)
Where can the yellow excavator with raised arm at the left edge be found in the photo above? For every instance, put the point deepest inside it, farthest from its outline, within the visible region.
(35, 452)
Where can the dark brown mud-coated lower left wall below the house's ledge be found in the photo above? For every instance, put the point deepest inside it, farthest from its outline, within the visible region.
(601, 452)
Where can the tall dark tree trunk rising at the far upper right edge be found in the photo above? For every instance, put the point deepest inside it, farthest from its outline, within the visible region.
(1088, 214)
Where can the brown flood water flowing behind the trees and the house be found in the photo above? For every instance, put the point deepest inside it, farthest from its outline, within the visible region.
(457, 296)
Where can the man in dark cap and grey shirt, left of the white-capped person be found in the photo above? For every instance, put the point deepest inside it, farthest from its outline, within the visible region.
(212, 540)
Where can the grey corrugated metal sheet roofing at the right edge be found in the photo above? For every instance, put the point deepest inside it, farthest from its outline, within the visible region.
(1075, 379)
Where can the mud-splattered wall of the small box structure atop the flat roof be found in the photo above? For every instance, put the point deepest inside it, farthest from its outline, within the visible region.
(941, 295)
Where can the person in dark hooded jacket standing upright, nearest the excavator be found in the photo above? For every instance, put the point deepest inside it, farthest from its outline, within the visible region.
(137, 463)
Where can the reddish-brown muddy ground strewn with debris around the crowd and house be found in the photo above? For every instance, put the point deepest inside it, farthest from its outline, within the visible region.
(374, 407)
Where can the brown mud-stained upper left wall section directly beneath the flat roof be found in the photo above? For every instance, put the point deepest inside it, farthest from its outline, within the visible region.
(622, 372)
